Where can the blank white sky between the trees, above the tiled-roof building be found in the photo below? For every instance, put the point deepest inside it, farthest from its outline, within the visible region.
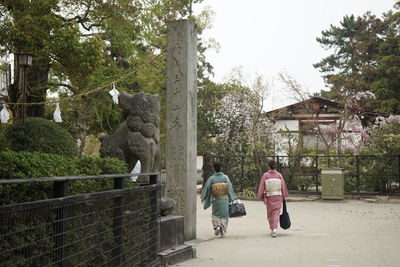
(270, 36)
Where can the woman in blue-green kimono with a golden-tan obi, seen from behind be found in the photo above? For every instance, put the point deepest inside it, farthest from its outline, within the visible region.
(218, 192)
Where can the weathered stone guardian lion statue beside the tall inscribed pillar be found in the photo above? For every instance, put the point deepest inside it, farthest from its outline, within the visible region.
(138, 137)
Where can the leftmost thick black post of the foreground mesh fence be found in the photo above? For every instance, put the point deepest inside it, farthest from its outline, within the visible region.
(60, 189)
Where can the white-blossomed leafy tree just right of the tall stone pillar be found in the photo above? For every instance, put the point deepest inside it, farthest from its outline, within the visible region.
(222, 117)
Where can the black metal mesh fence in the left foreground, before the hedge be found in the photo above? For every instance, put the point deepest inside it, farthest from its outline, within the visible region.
(118, 227)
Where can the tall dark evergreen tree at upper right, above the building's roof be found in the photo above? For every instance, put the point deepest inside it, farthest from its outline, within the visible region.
(365, 57)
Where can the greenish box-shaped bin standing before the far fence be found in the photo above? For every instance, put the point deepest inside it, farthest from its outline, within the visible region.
(332, 183)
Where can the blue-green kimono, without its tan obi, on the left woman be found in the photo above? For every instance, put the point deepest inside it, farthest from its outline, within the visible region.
(220, 204)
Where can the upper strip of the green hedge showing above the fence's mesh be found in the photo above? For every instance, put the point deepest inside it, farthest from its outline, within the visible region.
(14, 165)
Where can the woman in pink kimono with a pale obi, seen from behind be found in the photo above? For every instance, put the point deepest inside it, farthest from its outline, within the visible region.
(272, 190)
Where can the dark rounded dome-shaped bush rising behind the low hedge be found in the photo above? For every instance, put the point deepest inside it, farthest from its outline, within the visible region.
(40, 135)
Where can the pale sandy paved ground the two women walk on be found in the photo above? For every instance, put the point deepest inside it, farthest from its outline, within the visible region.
(323, 233)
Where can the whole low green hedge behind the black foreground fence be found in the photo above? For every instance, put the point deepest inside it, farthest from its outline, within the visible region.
(33, 232)
